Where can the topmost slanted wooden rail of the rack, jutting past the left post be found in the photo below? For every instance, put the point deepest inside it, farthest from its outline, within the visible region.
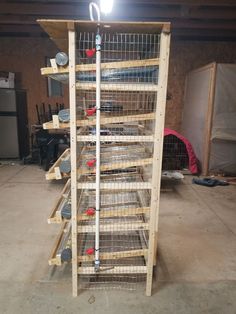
(104, 66)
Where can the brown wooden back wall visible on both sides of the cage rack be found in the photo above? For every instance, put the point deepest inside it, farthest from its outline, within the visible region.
(27, 55)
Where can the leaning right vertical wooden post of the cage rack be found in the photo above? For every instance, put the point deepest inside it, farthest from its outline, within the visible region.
(157, 155)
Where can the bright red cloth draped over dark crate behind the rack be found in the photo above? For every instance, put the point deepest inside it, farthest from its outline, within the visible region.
(193, 165)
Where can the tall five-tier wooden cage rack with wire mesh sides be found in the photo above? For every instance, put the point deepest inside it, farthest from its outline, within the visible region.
(134, 72)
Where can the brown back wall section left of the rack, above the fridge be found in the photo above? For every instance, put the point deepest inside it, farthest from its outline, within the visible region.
(26, 56)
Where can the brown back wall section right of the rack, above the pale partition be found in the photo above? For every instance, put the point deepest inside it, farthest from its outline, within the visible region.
(184, 57)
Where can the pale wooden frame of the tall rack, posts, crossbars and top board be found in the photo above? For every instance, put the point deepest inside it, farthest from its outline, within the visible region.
(58, 31)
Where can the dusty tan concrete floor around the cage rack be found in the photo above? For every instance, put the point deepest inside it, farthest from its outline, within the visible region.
(197, 252)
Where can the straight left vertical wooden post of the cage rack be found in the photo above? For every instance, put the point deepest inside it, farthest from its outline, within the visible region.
(73, 150)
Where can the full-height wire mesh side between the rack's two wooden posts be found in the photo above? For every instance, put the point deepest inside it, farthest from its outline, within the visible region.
(129, 77)
